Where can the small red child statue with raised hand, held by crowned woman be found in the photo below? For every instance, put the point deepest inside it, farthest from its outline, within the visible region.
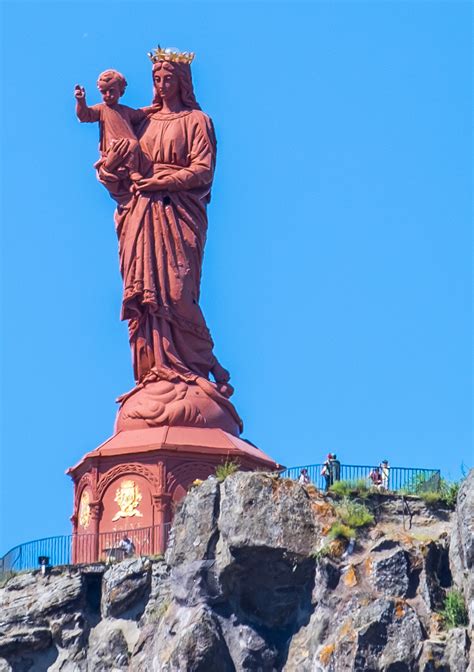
(116, 122)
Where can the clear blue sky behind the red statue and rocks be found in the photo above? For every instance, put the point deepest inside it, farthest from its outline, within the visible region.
(337, 277)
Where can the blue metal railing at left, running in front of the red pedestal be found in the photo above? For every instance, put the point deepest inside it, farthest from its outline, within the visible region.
(74, 549)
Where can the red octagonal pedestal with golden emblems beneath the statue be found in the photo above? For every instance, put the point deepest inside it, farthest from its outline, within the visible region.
(131, 483)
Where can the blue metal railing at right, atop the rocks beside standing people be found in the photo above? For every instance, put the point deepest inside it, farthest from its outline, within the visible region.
(408, 479)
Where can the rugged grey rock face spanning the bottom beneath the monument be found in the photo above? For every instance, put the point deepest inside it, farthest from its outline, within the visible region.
(251, 581)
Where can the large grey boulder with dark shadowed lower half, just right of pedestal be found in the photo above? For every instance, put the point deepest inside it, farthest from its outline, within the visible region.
(266, 534)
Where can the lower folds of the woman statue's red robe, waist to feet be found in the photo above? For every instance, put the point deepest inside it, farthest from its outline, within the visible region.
(161, 243)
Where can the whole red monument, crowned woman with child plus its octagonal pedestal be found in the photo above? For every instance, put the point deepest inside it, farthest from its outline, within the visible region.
(177, 423)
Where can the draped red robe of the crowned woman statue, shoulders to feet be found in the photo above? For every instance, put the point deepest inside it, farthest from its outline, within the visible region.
(161, 242)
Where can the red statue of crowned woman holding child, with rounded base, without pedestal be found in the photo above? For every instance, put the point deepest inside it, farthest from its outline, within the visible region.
(158, 164)
